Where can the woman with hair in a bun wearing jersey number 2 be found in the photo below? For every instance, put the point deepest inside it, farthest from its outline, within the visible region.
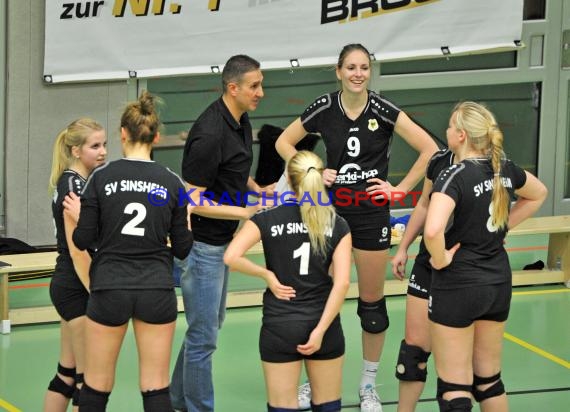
(128, 209)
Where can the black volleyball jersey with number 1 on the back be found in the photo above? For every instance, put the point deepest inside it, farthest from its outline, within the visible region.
(288, 254)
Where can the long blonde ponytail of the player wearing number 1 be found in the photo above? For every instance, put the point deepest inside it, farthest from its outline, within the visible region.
(305, 171)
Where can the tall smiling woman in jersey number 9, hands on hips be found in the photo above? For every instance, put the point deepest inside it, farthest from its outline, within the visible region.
(357, 125)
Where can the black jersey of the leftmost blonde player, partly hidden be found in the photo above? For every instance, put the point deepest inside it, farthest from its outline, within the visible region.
(69, 181)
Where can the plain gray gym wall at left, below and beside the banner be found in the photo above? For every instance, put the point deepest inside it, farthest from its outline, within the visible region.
(34, 114)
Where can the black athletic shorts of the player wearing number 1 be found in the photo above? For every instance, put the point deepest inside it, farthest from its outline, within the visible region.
(278, 341)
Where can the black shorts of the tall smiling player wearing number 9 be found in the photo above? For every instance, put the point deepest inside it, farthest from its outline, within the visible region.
(370, 231)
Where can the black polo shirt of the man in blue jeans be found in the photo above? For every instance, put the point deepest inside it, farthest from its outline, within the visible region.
(218, 156)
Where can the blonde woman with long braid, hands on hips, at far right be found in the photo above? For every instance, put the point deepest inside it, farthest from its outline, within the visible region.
(471, 270)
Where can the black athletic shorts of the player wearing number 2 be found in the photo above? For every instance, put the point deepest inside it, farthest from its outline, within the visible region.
(115, 307)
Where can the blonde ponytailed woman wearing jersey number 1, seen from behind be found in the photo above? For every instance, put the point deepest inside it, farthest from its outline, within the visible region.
(301, 322)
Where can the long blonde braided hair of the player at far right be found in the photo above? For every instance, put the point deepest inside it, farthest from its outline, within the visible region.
(484, 135)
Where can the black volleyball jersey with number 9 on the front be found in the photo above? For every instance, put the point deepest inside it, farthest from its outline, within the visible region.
(357, 149)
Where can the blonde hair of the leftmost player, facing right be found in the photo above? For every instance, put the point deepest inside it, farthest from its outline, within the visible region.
(75, 134)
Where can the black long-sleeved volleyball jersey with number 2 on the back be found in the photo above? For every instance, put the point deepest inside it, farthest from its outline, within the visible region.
(129, 207)
